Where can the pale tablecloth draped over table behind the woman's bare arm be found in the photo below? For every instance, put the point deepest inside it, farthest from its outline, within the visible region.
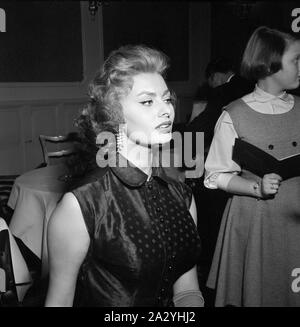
(34, 196)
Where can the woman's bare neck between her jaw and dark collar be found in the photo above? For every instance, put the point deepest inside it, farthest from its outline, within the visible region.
(141, 156)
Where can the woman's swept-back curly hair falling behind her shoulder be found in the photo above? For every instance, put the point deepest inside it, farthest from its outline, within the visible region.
(104, 112)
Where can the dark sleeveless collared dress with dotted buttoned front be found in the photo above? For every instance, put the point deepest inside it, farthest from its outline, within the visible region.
(142, 237)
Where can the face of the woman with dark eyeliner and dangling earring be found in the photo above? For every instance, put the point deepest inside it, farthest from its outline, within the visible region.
(148, 110)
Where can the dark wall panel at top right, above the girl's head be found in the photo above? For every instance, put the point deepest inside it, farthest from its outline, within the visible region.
(232, 23)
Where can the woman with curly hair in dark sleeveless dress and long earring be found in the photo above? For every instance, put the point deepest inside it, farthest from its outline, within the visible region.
(125, 235)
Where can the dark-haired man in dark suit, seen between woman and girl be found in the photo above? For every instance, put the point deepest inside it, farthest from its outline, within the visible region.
(225, 87)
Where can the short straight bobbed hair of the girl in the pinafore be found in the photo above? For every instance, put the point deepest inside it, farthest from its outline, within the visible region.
(263, 53)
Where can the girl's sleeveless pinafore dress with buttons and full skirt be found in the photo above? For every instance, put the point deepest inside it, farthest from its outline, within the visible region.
(257, 256)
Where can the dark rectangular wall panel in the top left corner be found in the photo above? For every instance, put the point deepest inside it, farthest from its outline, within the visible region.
(42, 42)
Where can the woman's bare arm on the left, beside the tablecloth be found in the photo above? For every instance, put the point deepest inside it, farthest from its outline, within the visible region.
(68, 242)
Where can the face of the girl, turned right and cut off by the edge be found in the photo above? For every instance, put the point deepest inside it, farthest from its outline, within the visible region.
(288, 77)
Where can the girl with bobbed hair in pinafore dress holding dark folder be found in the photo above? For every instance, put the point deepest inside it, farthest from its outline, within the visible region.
(257, 256)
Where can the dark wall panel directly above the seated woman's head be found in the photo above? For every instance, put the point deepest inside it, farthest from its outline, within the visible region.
(163, 25)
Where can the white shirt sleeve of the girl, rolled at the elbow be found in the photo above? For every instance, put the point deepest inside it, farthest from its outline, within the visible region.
(219, 166)
